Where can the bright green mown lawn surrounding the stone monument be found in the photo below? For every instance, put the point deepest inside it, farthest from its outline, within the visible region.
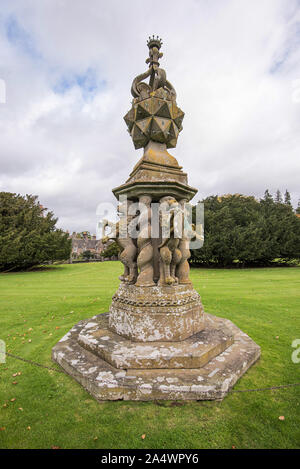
(41, 408)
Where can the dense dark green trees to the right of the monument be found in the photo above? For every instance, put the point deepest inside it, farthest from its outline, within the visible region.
(245, 231)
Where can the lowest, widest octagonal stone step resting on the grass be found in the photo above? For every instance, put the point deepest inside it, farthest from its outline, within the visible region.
(105, 382)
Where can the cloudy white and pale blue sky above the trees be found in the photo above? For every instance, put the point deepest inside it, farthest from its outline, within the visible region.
(68, 67)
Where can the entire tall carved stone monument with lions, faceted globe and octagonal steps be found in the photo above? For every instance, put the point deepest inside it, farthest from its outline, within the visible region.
(156, 342)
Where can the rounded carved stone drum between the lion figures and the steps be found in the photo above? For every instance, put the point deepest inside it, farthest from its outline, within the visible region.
(147, 314)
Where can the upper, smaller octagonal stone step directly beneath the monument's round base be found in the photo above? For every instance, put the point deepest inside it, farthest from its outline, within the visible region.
(193, 352)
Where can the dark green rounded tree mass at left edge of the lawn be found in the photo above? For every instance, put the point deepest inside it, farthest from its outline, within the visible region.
(28, 235)
